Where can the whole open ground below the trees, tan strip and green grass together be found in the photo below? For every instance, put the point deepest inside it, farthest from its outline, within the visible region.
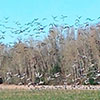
(13, 92)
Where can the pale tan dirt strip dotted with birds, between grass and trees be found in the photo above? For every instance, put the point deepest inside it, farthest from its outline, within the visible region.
(67, 87)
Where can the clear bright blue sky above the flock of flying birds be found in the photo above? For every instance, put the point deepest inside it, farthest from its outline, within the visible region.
(26, 10)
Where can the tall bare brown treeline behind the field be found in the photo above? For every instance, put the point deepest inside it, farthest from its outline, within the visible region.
(66, 56)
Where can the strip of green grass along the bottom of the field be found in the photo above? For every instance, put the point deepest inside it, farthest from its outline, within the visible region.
(49, 95)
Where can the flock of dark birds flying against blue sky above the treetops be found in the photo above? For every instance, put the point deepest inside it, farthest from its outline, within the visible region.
(34, 28)
